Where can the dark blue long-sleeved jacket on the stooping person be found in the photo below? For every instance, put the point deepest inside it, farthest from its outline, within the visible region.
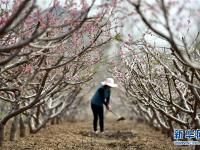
(100, 95)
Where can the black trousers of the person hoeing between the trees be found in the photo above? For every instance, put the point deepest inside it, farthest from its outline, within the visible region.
(98, 114)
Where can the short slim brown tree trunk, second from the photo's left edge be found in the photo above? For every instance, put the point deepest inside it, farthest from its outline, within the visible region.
(13, 129)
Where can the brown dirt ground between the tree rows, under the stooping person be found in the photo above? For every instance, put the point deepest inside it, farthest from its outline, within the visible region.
(78, 136)
